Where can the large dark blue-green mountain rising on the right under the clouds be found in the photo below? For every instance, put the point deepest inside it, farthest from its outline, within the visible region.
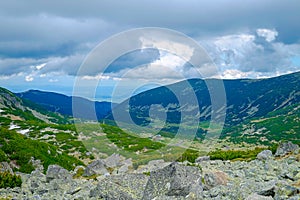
(246, 99)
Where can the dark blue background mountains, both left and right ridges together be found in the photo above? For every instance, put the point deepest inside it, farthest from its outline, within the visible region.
(253, 107)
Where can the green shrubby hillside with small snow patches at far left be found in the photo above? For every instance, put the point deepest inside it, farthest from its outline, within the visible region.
(29, 133)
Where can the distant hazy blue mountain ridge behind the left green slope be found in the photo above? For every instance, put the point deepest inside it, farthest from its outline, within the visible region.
(62, 104)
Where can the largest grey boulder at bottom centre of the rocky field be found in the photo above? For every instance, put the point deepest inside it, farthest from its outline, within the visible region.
(174, 180)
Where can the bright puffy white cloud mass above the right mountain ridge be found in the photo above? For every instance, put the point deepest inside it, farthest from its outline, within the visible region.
(244, 56)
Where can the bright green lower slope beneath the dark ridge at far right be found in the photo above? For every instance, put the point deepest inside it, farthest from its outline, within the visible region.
(282, 124)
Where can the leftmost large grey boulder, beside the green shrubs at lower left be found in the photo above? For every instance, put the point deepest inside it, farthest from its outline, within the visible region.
(57, 172)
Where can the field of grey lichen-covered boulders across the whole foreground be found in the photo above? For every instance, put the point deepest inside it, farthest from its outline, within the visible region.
(265, 178)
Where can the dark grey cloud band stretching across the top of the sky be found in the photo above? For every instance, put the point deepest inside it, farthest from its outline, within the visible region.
(191, 16)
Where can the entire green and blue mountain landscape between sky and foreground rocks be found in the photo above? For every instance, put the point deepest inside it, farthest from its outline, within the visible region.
(259, 113)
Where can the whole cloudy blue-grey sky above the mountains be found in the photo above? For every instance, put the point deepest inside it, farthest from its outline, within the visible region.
(44, 43)
